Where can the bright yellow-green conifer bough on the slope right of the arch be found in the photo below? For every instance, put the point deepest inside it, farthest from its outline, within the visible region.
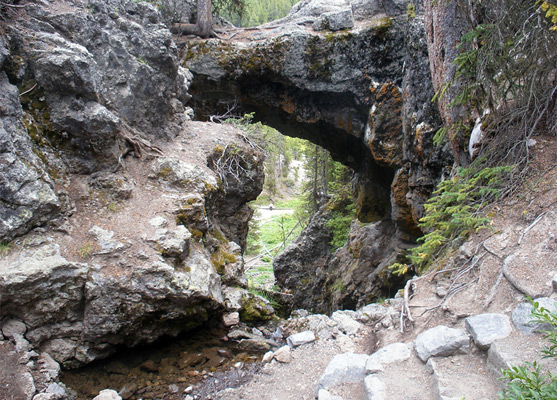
(454, 211)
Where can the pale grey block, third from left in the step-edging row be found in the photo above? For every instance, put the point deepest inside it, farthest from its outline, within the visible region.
(440, 341)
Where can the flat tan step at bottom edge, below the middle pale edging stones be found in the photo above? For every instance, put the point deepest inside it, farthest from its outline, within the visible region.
(463, 376)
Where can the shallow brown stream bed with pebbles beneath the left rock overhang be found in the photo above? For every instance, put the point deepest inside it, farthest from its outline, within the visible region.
(163, 370)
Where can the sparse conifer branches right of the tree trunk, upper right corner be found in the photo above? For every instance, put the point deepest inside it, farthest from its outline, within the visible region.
(505, 65)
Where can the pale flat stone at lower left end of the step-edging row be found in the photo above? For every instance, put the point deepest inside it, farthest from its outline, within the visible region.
(343, 368)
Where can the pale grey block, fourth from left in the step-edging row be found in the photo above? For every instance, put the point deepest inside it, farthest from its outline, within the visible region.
(488, 327)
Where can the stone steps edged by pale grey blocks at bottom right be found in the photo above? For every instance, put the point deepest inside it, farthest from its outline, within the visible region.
(442, 363)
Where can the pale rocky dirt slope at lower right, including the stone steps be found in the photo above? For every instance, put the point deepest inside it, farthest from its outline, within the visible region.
(488, 279)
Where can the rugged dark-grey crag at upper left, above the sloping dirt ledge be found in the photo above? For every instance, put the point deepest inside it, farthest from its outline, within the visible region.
(101, 78)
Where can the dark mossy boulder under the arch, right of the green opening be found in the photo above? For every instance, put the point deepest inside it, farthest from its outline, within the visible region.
(350, 278)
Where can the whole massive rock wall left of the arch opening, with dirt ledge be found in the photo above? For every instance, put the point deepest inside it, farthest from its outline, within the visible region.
(123, 225)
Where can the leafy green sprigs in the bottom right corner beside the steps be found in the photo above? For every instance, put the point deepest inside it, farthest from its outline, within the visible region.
(531, 380)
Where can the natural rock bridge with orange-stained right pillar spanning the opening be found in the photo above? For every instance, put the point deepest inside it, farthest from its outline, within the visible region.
(362, 93)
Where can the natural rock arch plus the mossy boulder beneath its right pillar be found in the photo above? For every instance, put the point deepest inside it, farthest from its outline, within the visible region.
(361, 89)
